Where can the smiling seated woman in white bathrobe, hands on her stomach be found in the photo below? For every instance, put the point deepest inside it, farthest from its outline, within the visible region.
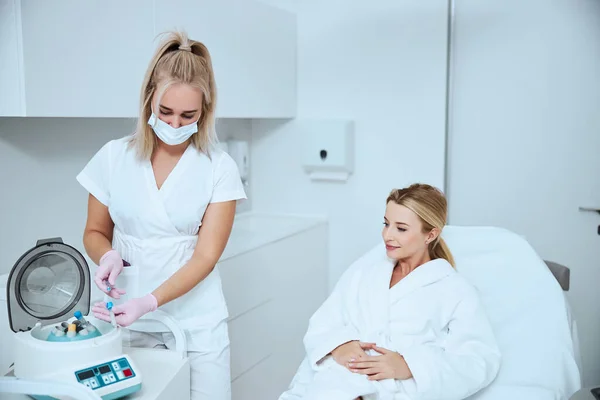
(403, 325)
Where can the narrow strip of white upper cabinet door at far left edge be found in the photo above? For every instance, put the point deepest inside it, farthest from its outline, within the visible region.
(11, 72)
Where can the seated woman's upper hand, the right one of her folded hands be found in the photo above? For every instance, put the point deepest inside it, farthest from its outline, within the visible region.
(389, 365)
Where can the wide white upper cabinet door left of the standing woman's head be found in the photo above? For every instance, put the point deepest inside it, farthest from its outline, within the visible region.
(85, 59)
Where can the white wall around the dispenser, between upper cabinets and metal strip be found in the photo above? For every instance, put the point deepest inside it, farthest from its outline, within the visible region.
(381, 64)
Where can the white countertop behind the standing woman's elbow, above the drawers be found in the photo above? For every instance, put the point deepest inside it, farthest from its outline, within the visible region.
(252, 230)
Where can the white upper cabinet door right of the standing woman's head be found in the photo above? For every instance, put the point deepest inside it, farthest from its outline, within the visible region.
(253, 49)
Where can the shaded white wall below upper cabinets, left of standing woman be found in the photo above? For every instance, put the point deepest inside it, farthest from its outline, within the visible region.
(39, 160)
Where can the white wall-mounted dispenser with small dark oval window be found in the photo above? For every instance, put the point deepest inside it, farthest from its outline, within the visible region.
(328, 150)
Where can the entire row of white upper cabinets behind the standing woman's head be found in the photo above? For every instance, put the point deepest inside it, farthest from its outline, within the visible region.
(88, 59)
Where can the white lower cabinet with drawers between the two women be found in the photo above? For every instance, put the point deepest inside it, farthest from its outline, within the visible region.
(271, 292)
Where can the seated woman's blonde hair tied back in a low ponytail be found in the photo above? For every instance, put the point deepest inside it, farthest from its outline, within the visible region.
(430, 205)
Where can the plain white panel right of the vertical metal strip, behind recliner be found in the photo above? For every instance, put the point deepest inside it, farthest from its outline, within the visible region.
(525, 136)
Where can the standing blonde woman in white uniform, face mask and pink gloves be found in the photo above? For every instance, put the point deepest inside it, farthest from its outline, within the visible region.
(164, 199)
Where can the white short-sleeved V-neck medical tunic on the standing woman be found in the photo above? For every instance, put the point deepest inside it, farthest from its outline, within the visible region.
(156, 230)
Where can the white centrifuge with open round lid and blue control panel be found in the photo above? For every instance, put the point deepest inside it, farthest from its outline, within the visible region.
(57, 346)
